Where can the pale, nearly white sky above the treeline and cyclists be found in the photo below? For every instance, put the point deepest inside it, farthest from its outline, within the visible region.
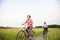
(13, 12)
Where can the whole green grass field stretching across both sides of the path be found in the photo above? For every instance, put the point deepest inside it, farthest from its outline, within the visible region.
(10, 34)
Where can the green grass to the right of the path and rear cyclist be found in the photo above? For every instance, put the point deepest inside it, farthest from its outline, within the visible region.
(54, 34)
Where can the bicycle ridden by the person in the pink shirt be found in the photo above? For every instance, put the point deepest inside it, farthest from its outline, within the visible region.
(21, 35)
